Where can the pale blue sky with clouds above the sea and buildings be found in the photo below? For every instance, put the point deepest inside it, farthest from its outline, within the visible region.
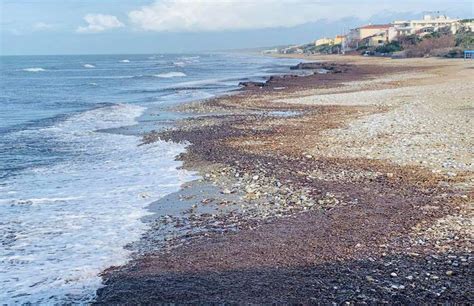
(30, 27)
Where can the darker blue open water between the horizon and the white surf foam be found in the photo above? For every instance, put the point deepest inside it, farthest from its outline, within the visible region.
(38, 91)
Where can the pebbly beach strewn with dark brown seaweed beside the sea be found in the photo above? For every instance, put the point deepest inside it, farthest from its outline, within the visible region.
(352, 183)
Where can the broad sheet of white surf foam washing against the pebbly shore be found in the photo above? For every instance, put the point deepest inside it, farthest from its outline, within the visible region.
(62, 224)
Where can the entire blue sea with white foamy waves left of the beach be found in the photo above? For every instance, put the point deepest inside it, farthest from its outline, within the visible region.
(72, 191)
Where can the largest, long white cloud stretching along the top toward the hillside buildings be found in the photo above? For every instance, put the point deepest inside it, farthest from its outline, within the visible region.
(215, 15)
